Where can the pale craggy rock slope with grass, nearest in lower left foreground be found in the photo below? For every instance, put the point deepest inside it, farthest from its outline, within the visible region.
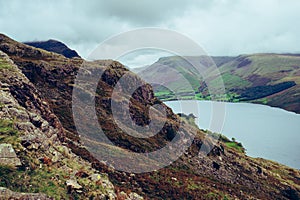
(35, 163)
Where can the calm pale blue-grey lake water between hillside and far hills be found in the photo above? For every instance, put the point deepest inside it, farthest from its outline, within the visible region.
(264, 131)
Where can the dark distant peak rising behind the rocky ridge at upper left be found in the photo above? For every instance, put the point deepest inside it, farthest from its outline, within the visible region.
(54, 46)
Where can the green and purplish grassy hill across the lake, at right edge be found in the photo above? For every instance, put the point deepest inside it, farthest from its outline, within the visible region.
(268, 69)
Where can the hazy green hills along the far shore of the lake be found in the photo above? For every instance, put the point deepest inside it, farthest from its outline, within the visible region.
(272, 79)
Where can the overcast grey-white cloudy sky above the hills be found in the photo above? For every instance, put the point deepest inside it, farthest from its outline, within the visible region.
(221, 27)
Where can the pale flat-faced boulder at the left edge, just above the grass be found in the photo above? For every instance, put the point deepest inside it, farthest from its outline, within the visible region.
(8, 155)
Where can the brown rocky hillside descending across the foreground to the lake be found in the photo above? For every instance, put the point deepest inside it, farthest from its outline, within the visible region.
(37, 121)
